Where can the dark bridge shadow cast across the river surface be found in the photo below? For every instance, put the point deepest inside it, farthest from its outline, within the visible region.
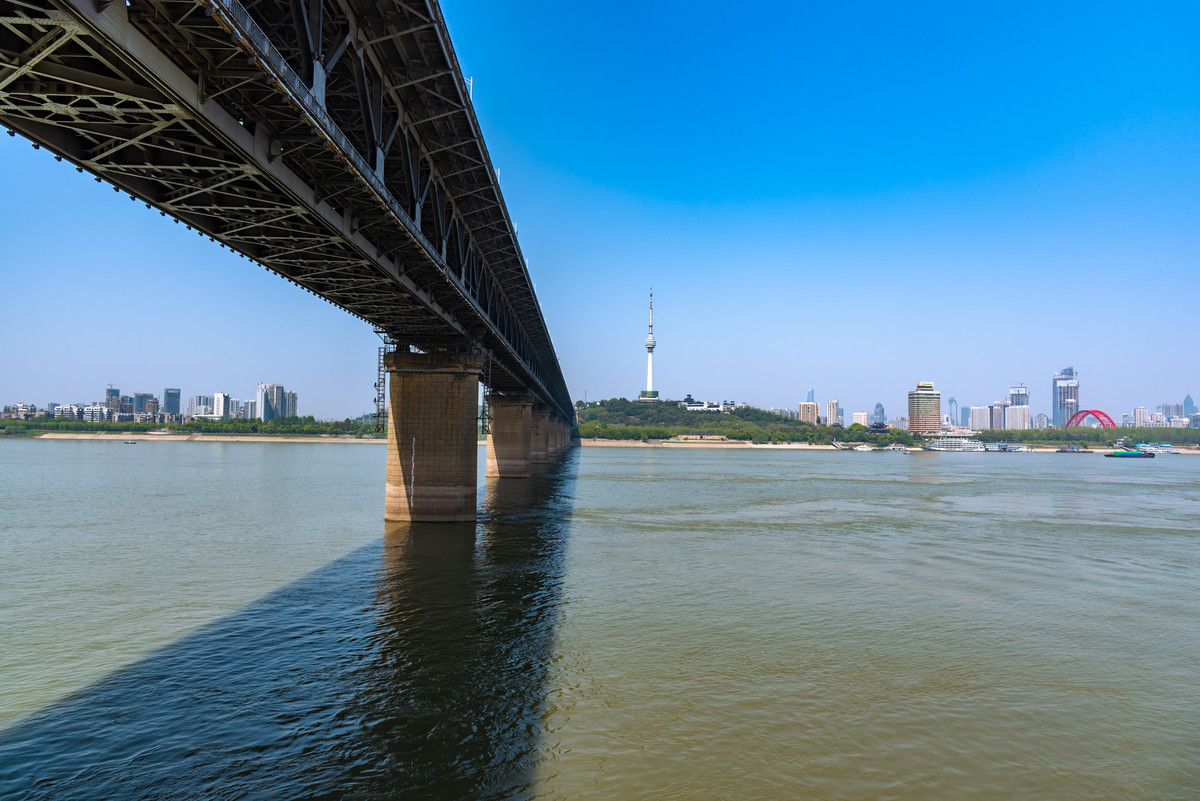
(411, 668)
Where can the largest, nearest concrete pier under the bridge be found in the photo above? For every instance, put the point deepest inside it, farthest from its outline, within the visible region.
(433, 441)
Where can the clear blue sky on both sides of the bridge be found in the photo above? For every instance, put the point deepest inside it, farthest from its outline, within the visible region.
(844, 197)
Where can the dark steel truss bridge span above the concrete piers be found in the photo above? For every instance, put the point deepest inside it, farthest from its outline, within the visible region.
(331, 141)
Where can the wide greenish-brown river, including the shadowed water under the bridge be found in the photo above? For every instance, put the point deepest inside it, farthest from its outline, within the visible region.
(235, 621)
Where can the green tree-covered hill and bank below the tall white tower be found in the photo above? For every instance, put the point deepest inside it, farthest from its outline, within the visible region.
(620, 419)
